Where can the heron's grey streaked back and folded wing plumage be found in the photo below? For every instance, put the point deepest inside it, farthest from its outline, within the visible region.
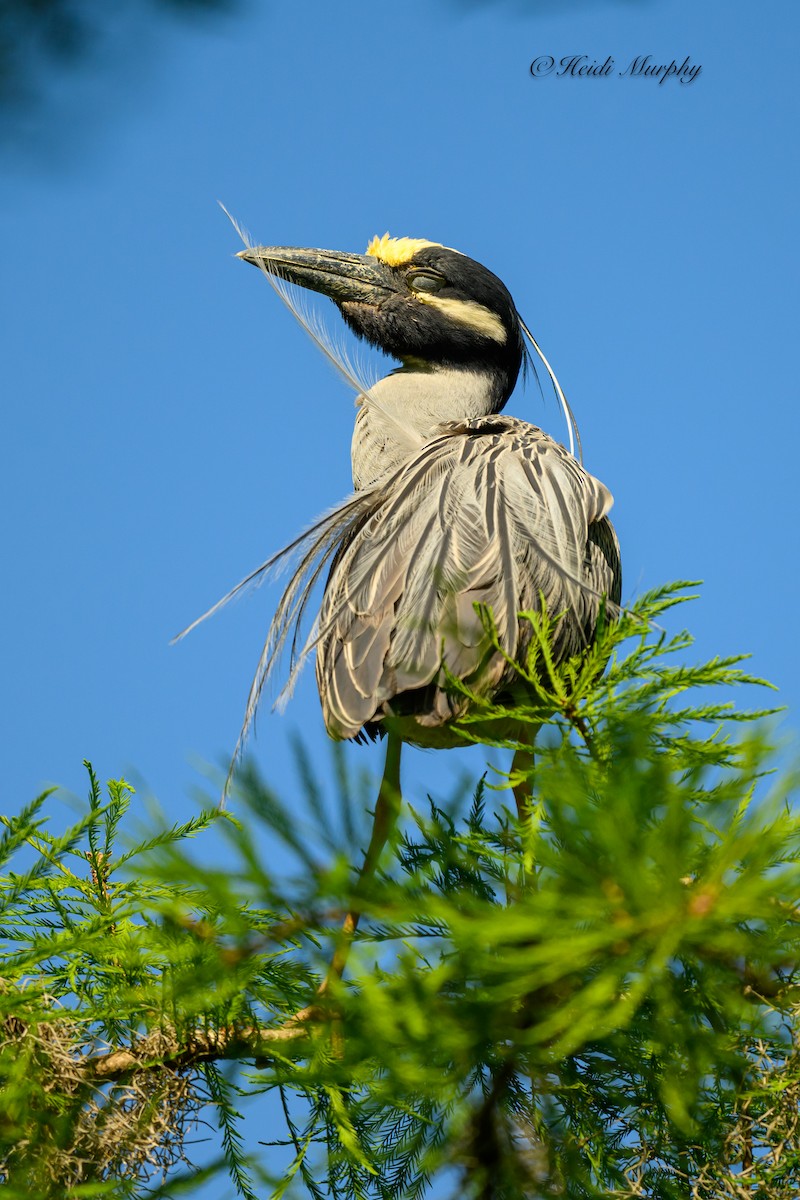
(490, 512)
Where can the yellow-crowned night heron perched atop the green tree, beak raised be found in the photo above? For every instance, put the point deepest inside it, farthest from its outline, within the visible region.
(454, 506)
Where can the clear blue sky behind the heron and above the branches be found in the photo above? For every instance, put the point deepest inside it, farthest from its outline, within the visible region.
(166, 425)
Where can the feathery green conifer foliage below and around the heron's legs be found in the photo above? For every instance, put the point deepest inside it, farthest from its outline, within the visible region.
(597, 998)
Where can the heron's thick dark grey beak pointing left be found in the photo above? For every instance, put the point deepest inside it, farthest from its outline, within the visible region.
(344, 278)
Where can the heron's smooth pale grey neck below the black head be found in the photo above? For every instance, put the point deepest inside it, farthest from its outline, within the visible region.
(412, 404)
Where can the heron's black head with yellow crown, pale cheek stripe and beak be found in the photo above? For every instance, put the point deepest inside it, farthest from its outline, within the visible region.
(417, 301)
